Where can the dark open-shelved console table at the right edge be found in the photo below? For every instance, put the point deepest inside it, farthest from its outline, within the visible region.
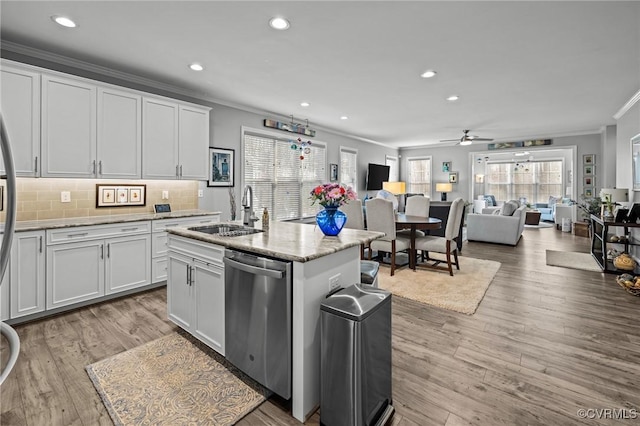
(601, 242)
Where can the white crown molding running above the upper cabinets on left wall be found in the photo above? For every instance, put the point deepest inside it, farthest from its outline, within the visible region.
(55, 58)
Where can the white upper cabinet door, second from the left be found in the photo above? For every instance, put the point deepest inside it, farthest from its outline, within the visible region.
(68, 128)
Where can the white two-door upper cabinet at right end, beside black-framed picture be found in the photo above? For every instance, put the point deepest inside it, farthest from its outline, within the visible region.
(175, 140)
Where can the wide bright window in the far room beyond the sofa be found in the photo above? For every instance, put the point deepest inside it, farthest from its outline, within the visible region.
(536, 181)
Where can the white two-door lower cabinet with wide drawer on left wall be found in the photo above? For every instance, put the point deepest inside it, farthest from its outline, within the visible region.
(93, 267)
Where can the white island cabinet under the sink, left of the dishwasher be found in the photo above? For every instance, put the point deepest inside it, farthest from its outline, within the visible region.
(195, 289)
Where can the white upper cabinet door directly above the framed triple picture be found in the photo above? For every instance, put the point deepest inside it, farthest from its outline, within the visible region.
(119, 150)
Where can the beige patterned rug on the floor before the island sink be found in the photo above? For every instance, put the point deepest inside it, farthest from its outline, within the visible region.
(174, 380)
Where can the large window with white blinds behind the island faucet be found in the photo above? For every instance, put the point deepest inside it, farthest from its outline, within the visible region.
(280, 180)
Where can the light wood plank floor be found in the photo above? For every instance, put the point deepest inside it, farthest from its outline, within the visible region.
(544, 343)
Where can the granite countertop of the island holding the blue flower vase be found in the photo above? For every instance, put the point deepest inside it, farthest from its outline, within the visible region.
(288, 241)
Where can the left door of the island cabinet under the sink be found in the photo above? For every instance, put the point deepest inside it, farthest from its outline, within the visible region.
(179, 290)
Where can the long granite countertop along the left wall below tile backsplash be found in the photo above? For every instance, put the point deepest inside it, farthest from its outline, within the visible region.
(37, 225)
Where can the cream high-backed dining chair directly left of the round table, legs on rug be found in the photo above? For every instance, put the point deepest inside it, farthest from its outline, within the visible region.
(381, 218)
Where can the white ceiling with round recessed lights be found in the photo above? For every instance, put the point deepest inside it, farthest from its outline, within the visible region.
(523, 70)
